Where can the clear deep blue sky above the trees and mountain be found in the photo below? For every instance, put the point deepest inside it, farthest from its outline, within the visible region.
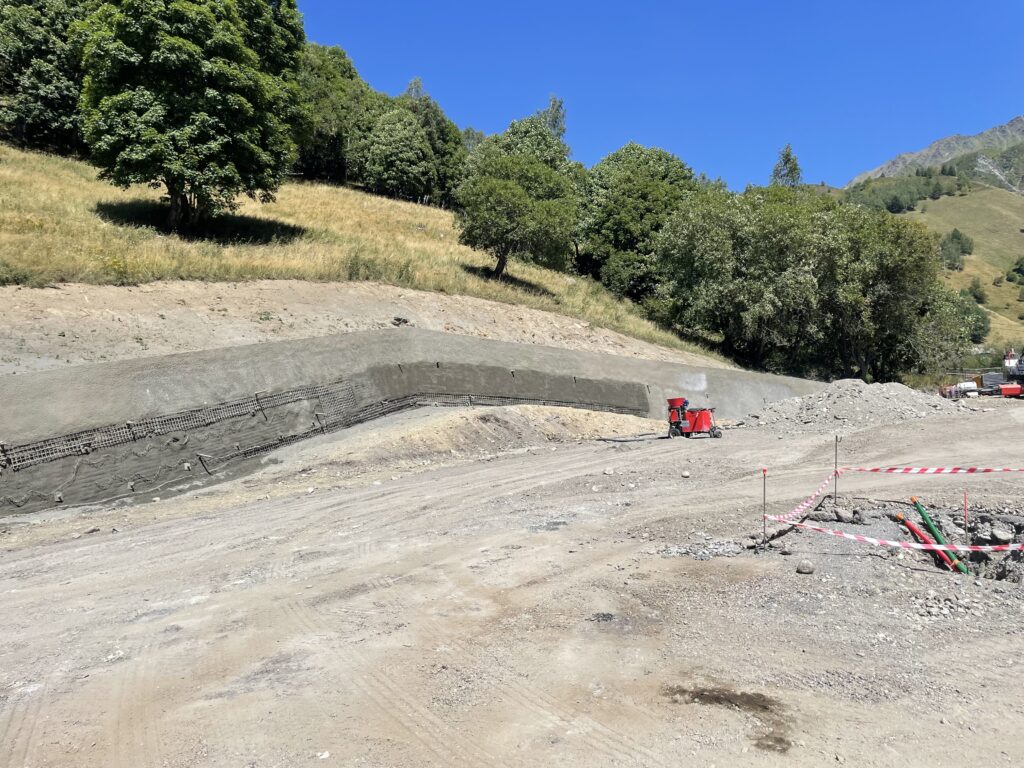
(721, 84)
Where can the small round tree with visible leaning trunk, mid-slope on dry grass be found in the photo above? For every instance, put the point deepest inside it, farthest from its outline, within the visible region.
(517, 206)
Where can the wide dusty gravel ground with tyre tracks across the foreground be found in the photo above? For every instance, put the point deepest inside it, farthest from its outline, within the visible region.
(523, 610)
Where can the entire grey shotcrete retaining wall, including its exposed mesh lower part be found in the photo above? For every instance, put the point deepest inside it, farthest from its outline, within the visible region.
(106, 432)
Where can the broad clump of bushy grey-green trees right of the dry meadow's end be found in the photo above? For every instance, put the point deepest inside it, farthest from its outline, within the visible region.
(798, 283)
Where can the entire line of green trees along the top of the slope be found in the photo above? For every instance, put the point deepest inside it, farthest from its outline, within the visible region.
(216, 99)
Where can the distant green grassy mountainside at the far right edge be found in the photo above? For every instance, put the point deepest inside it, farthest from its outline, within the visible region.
(994, 219)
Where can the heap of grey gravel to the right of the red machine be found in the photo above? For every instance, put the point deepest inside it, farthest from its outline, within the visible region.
(850, 405)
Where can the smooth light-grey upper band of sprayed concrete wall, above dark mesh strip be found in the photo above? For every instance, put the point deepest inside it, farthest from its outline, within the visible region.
(55, 403)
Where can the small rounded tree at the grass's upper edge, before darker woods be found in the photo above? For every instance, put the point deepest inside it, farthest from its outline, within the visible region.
(401, 163)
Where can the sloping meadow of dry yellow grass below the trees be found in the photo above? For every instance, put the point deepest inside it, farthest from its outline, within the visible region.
(59, 224)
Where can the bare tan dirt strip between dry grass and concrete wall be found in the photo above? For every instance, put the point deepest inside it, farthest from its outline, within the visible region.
(75, 324)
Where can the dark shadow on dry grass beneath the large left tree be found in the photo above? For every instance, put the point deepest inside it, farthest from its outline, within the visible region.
(226, 230)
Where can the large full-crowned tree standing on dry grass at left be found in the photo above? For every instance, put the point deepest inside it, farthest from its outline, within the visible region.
(174, 96)
